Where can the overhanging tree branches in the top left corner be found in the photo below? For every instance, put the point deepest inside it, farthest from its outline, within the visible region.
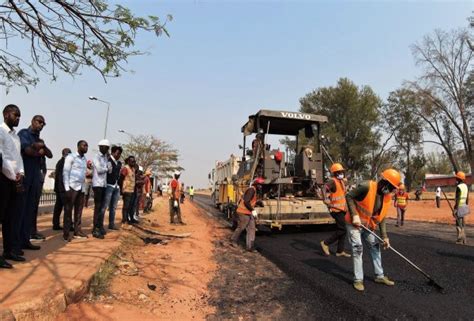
(66, 36)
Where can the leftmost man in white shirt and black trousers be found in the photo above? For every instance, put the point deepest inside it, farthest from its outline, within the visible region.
(11, 185)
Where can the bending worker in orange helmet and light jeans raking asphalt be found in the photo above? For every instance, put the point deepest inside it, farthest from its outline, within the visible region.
(368, 204)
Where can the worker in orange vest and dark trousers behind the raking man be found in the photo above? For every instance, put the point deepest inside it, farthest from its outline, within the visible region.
(335, 199)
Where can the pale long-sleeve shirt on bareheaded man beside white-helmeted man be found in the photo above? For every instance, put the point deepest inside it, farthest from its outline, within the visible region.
(74, 172)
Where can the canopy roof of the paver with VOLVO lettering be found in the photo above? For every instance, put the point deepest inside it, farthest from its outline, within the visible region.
(281, 122)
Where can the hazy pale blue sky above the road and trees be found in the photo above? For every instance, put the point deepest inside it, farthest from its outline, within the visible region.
(225, 60)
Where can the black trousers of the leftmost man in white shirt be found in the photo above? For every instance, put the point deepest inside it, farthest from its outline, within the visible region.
(9, 214)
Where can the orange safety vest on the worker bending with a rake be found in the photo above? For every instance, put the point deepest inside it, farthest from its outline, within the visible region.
(365, 208)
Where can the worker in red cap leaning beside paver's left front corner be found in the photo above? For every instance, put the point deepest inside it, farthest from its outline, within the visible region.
(247, 214)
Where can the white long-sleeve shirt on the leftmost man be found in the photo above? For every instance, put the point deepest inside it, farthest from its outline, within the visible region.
(10, 147)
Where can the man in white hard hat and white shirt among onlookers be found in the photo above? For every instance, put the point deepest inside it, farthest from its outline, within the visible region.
(99, 185)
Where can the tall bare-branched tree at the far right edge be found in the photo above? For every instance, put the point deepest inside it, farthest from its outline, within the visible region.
(446, 59)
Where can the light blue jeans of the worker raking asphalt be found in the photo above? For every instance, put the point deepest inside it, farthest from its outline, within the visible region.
(356, 236)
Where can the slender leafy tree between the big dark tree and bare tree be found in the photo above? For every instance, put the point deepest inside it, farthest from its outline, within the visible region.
(401, 119)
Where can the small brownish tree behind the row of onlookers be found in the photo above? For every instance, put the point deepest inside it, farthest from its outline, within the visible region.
(153, 153)
